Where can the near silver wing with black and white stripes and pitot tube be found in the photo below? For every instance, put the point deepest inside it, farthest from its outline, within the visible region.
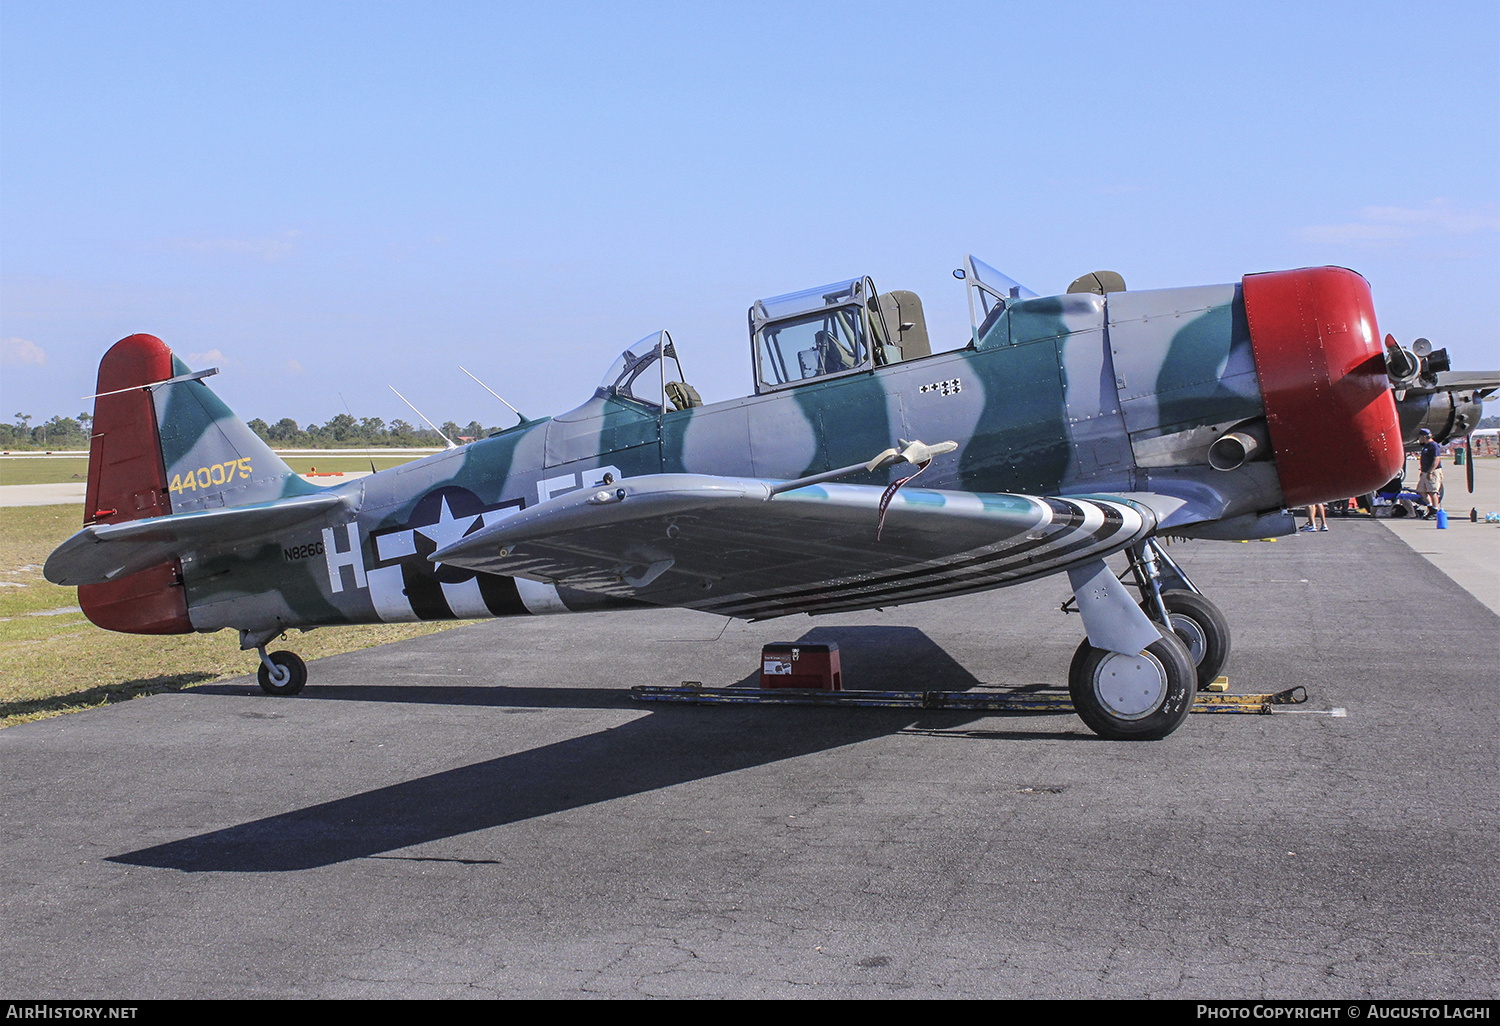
(743, 548)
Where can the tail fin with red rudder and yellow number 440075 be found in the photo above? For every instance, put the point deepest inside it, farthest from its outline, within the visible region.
(164, 445)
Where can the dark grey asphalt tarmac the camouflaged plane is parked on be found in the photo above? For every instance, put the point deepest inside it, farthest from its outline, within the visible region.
(485, 814)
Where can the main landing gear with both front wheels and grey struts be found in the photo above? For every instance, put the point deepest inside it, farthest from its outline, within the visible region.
(1181, 643)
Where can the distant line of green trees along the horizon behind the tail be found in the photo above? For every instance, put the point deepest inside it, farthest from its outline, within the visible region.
(341, 433)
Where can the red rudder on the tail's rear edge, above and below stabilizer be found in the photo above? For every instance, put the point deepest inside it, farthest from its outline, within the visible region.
(128, 482)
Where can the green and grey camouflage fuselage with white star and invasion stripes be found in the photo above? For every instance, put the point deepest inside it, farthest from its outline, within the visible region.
(1061, 397)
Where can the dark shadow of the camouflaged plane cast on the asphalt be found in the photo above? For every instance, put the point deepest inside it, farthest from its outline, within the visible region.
(670, 746)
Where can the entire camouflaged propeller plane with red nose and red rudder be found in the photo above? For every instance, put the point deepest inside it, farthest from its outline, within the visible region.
(1064, 431)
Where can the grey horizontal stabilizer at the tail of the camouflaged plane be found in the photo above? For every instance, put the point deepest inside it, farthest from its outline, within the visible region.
(107, 551)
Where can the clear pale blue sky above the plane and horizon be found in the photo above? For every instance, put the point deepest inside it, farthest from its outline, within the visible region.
(326, 199)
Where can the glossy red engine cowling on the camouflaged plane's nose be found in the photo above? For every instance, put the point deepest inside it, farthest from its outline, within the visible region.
(1324, 383)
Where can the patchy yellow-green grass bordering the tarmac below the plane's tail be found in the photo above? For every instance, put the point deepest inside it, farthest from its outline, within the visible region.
(59, 662)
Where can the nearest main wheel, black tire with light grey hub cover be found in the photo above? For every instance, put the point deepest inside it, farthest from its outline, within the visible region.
(1106, 697)
